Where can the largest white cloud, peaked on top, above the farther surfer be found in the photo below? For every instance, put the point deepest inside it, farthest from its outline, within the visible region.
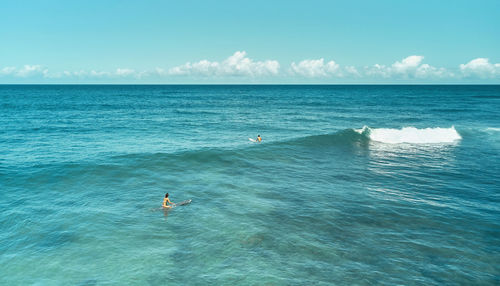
(236, 65)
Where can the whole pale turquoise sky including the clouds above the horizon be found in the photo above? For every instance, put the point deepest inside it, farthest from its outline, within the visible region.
(213, 42)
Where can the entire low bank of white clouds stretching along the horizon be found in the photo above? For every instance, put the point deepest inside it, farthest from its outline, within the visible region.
(240, 66)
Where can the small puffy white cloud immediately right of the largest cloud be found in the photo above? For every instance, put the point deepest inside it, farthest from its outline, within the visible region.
(315, 68)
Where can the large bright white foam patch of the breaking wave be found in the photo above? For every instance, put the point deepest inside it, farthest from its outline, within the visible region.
(411, 135)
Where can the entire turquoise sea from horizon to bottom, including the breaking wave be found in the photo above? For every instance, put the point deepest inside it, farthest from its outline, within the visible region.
(351, 185)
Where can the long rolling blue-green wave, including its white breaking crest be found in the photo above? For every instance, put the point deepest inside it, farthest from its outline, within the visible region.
(248, 156)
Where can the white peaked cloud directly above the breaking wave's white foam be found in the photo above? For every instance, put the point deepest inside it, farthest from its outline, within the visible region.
(409, 67)
